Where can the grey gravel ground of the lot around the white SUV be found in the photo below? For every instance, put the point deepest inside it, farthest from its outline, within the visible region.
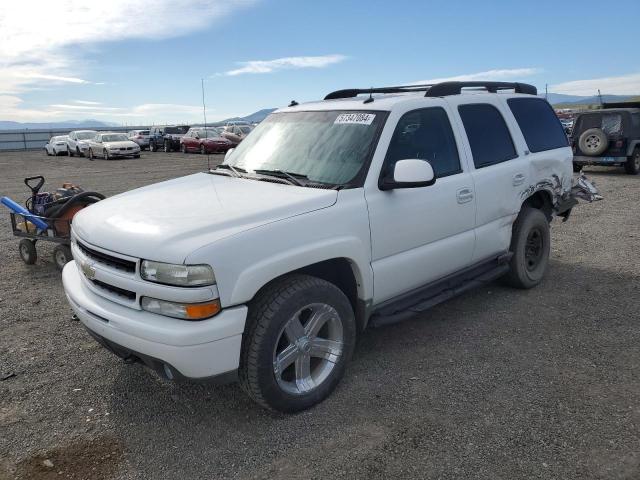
(497, 384)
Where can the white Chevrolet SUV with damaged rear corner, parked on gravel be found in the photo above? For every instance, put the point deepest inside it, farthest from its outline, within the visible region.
(328, 218)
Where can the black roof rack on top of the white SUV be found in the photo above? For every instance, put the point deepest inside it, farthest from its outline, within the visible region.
(442, 89)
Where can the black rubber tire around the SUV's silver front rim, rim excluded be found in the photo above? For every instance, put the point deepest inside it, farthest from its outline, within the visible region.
(269, 312)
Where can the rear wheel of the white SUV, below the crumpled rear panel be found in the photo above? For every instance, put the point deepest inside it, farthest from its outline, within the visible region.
(530, 245)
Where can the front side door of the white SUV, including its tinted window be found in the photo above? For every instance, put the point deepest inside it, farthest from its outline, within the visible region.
(420, 235)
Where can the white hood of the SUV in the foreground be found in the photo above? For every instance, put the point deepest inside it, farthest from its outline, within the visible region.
(169, 220)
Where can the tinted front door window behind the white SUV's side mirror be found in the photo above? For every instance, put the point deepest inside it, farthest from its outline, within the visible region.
(426, 135)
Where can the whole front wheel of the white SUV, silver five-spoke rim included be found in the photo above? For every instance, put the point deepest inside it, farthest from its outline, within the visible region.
(273, 317)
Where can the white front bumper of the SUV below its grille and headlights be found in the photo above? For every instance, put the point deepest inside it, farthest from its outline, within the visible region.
(187, 349)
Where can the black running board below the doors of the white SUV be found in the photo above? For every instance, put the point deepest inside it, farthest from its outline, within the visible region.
(422, 299)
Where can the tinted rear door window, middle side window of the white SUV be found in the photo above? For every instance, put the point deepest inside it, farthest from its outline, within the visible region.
(488, 134)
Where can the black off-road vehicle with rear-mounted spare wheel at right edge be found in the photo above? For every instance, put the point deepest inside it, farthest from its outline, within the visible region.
(610, 137)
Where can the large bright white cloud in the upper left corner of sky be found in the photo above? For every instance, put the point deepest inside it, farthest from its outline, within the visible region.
(41, 41)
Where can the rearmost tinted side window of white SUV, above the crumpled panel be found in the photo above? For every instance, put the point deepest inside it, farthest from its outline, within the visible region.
(541, 128)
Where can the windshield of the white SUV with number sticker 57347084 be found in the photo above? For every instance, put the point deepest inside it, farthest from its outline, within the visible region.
(328, 147)
